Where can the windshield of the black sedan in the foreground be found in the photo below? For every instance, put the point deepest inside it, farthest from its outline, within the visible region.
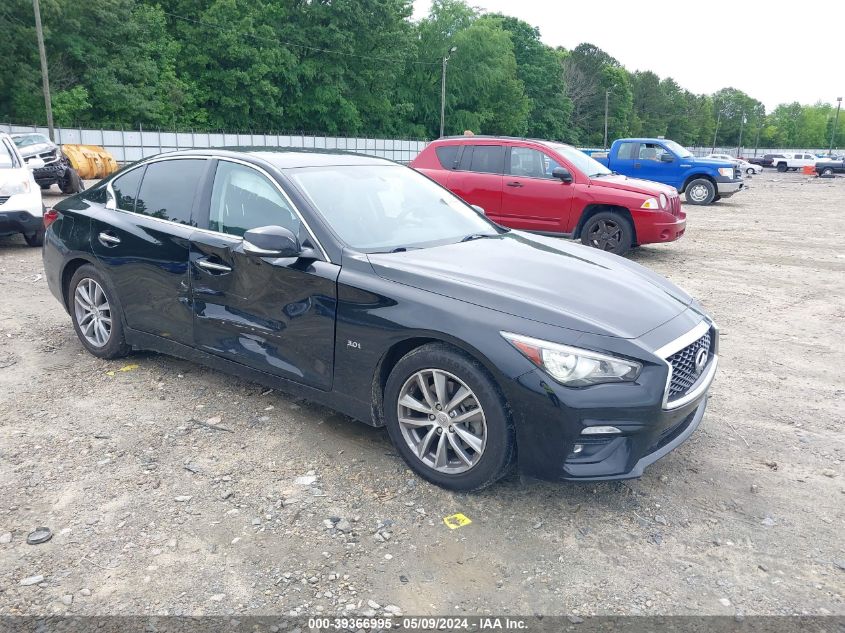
(382, 208)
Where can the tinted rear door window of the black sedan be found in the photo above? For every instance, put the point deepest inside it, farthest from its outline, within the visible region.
(168, 189)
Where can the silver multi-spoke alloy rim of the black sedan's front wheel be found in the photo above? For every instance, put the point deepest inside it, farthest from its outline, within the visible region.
(442, 421)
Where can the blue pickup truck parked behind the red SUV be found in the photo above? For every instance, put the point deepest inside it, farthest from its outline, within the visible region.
(703, 180)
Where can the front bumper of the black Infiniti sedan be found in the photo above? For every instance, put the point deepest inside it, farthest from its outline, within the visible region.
(555, 425)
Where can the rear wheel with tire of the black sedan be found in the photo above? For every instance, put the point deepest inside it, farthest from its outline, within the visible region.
(96, 314)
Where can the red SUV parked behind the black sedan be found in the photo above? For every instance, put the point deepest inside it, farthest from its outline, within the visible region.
(554, 189)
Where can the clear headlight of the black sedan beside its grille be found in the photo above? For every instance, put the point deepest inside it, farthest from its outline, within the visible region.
(572, 366)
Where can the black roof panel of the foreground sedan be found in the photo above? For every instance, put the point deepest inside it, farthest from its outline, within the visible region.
(287, 157)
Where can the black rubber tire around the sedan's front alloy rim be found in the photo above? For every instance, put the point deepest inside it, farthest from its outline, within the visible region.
(499, 449)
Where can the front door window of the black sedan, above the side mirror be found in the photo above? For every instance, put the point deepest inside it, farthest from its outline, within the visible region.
(244, 199)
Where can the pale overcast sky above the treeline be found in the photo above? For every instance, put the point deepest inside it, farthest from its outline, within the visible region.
(773, 50)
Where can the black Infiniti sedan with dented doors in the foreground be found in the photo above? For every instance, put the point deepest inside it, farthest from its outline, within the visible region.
(361, 284)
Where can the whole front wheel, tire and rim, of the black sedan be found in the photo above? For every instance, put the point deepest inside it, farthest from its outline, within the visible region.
(447, 418)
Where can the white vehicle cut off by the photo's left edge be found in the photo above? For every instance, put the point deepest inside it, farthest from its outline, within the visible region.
(21, 210)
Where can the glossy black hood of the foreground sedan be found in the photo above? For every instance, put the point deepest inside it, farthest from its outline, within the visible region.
(543, 279)
